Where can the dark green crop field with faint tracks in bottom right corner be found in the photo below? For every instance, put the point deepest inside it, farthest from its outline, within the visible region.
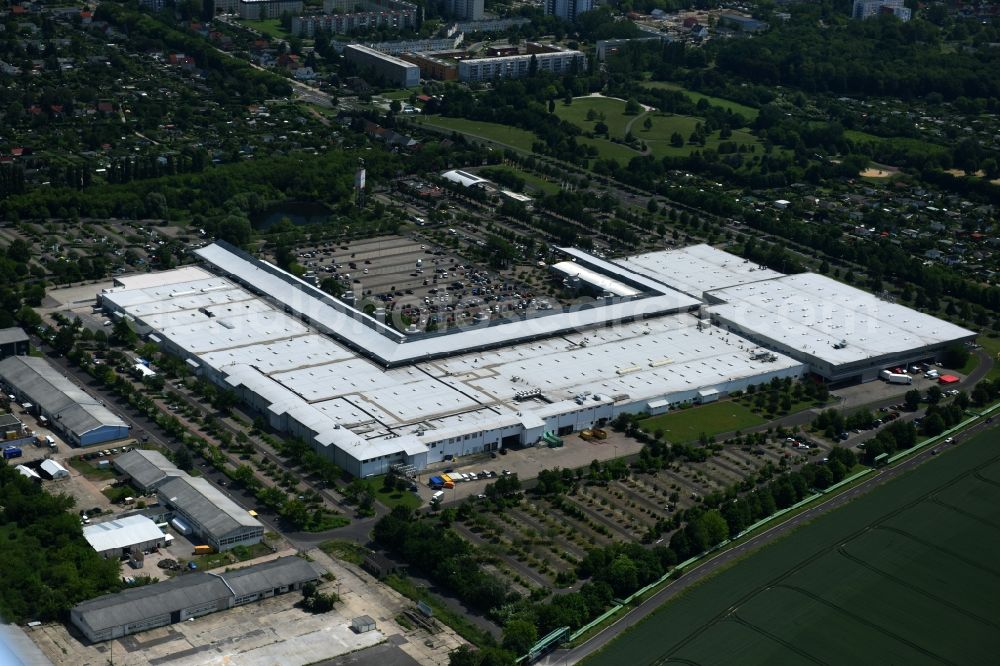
(907, 574)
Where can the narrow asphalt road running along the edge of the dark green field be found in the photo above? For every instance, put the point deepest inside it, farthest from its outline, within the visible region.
(715, 564)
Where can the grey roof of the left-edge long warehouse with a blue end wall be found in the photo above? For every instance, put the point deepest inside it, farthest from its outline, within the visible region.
(76, 411)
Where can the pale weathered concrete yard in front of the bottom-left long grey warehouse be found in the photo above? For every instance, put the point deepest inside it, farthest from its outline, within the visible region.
(274, 631)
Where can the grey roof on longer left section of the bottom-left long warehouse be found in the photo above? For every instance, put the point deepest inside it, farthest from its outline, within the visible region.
(142, 603)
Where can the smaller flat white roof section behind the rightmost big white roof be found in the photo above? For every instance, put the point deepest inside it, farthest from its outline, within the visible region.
(697, 269)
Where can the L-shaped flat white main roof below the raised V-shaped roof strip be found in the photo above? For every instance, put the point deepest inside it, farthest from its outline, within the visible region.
(368, 410)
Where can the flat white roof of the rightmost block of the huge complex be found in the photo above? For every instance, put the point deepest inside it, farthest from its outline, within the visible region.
(811, 313)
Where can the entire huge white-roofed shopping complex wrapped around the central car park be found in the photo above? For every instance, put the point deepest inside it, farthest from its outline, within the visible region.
(671, 328)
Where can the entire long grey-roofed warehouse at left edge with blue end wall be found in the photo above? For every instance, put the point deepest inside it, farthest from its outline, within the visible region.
(82, 419)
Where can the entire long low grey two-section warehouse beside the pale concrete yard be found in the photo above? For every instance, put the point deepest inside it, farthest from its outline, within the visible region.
(186, 597)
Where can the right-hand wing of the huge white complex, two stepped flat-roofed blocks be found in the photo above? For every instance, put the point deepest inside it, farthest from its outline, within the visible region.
(843, 334)
